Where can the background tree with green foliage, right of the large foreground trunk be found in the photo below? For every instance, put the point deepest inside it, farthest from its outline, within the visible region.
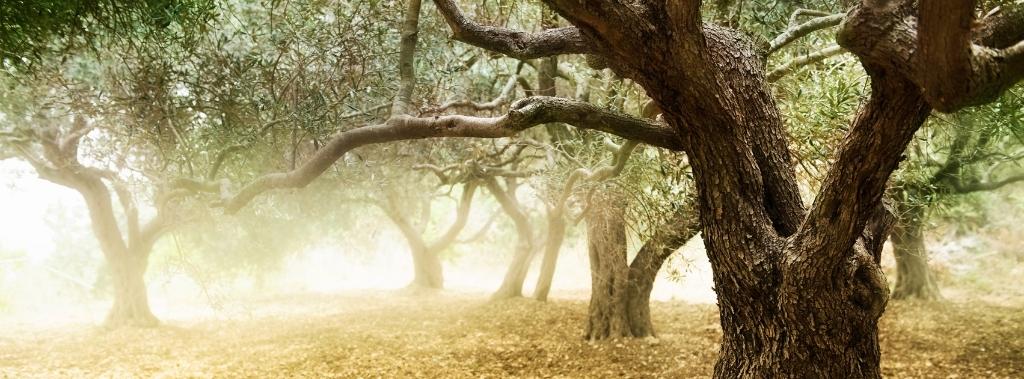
(972, 152)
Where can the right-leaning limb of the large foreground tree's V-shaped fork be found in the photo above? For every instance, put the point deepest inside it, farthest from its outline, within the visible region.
(854, 187)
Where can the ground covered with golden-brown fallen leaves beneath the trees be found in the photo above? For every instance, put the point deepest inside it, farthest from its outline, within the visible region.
(457, 335)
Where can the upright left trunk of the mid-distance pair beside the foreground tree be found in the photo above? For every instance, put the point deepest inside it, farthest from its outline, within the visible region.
(610, 275)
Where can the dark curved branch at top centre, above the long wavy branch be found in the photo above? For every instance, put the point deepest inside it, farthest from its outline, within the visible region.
(517, 45)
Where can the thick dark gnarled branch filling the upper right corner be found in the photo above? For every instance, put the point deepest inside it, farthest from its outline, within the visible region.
(936, 47)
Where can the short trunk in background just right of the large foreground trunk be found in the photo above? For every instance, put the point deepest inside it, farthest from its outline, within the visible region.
(914, 278)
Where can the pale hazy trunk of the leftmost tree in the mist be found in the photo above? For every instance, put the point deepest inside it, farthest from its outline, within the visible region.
(132, 304)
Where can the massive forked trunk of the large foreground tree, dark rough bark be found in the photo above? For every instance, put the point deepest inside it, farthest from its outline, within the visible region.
(799, 297)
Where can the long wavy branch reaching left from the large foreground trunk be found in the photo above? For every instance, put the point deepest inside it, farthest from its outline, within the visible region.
(524, 115)
